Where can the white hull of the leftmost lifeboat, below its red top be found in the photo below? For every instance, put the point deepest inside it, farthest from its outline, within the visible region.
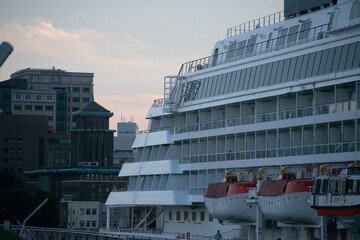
(232, 209)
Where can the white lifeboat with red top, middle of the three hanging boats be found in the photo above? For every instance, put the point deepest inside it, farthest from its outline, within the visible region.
(287, 200)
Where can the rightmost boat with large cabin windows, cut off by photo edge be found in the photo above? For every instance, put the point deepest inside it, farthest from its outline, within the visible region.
(338, 193)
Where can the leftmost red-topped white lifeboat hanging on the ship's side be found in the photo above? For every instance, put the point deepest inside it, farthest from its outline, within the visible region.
(226, 201)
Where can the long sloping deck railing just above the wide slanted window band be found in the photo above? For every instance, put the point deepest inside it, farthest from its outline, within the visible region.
(266, 46)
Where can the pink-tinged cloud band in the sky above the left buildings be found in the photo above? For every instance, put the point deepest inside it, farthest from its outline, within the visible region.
(40, 37)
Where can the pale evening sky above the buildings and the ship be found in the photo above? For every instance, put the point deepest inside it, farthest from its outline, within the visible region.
(129, 45)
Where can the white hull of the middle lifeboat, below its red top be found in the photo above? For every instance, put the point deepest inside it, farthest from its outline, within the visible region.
(289, 208)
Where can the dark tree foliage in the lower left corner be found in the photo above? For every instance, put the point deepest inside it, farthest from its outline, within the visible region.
(16, 200)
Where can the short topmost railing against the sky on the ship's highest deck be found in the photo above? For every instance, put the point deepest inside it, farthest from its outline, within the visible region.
(255, 24)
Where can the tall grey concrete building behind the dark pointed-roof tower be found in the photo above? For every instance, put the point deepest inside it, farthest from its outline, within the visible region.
(51, 92)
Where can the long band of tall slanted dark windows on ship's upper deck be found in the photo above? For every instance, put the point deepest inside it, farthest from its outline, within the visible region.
(309, 65)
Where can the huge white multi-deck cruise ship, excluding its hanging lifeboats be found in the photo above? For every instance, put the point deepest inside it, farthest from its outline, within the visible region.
(281, 90)
